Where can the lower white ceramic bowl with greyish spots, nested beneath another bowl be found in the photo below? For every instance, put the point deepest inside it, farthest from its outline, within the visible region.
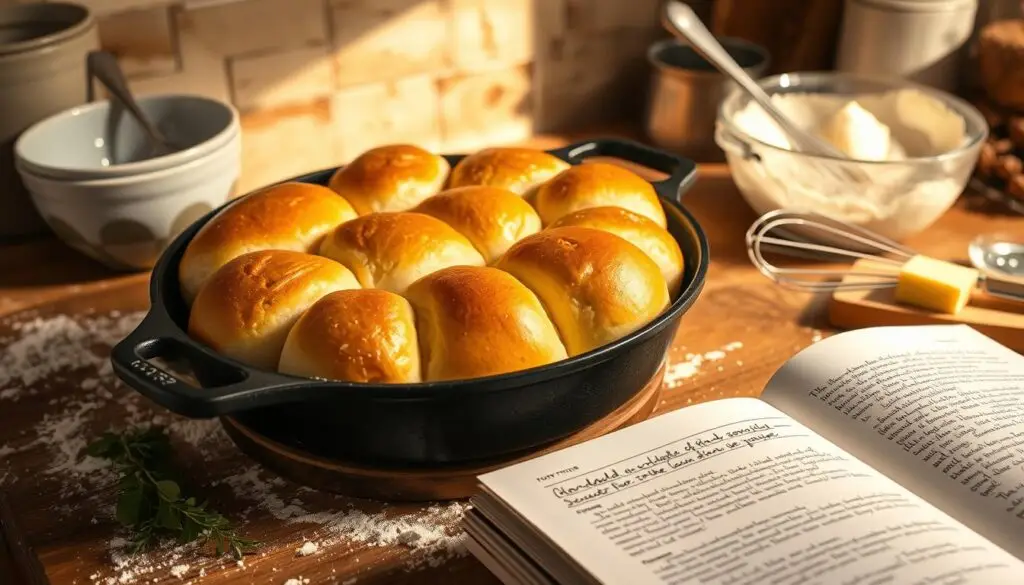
(125, 223)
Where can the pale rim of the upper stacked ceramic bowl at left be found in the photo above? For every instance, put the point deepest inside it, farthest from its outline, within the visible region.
(177, 158)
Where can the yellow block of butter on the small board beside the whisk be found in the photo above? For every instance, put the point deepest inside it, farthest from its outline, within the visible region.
(935, 285)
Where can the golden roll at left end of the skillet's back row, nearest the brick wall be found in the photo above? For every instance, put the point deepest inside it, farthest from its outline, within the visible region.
(396, 178)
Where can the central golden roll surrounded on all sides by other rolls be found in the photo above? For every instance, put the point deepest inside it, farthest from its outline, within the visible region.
(391, 252)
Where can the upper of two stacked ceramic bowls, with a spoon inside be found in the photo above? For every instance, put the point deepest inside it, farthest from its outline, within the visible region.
(98, 141)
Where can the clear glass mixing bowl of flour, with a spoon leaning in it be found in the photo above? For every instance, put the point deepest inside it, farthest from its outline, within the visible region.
(902, 198)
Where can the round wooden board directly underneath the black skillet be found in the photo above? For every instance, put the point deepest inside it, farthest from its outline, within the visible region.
(418, 485)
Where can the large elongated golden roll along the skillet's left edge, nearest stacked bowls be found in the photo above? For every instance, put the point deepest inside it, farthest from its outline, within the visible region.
(288, 217)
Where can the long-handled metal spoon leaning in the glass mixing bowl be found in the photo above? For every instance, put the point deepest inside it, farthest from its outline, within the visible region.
(681, 20)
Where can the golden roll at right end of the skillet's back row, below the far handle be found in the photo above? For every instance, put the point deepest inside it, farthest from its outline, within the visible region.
(598, 185)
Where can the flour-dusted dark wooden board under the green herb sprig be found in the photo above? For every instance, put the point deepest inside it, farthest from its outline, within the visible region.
(58, 393)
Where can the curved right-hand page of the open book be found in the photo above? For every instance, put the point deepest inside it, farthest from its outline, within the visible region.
(940, 409)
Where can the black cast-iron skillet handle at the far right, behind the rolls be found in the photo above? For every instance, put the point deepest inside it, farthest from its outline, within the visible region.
(682, 173)
